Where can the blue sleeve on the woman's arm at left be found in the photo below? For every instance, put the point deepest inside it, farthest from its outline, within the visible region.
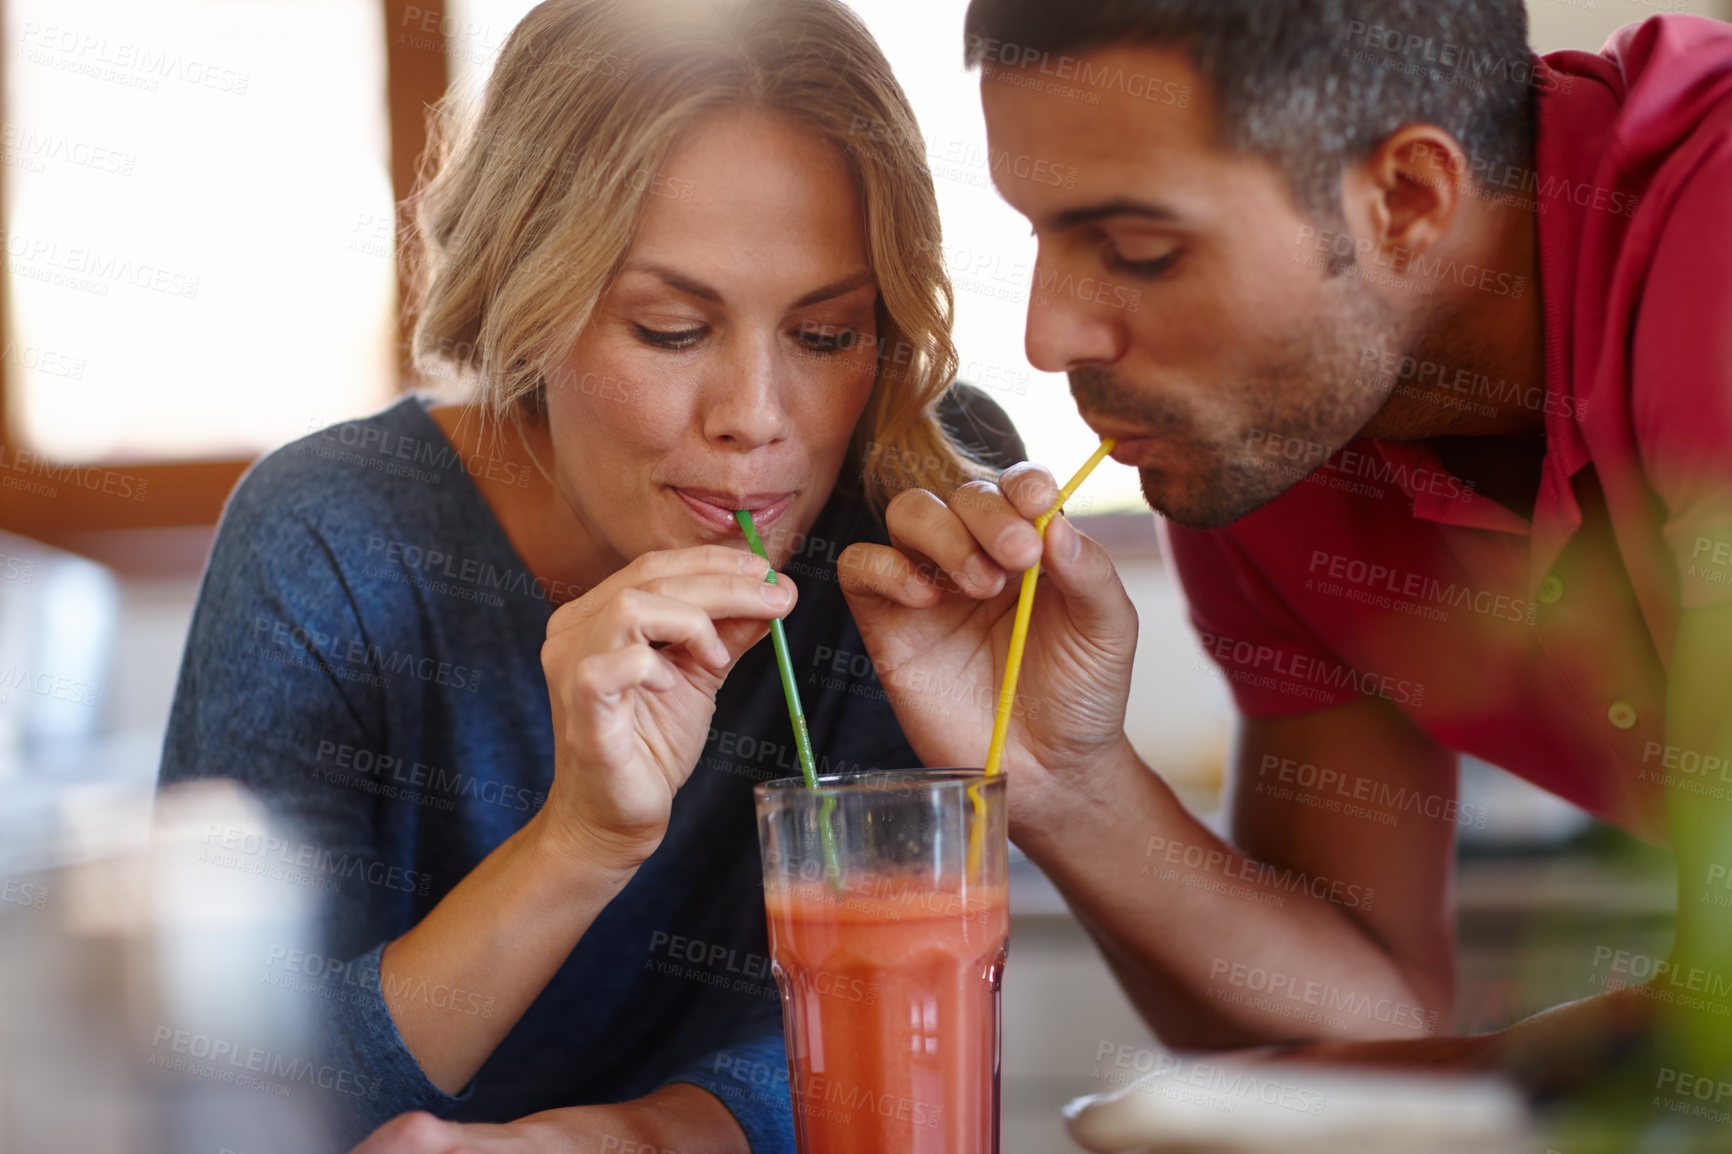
(264, 687)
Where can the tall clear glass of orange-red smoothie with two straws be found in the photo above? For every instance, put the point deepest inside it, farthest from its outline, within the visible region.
(888, 930)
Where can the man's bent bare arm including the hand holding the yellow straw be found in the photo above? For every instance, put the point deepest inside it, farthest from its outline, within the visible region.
(1217, 949)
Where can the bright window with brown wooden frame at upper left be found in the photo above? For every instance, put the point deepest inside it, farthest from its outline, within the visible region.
(200, 245)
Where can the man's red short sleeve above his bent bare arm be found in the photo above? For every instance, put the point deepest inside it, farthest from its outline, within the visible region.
(1265, 652)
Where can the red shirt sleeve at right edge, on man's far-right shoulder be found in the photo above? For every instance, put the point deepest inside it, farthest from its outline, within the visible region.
(1683, 380)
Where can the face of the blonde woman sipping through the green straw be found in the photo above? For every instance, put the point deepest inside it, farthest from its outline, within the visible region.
(734, 354)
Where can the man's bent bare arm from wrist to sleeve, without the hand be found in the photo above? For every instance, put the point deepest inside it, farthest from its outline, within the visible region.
(1322, 921)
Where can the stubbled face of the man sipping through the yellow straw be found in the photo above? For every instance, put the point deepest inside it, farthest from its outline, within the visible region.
(1179, 285)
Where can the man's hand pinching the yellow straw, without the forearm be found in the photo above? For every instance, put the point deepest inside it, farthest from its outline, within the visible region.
(936, 611)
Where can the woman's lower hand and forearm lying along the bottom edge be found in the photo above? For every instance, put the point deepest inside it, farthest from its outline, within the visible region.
(675, 1118)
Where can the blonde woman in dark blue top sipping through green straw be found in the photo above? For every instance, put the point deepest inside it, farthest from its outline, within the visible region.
(500, 659)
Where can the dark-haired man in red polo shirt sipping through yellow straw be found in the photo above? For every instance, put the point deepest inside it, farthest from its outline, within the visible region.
(1431, 379)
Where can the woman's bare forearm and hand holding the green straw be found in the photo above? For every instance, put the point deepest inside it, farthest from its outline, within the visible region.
(633, 671)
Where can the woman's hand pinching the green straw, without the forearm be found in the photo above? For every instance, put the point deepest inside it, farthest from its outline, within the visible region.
(633, 670)
